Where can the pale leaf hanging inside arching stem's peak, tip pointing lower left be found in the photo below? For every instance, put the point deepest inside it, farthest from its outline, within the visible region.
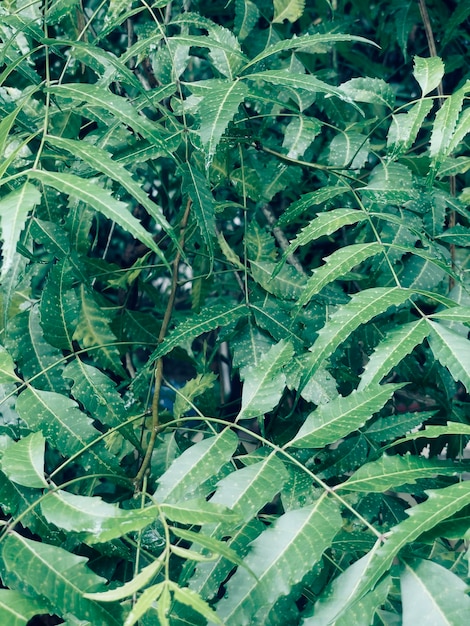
(194, 466)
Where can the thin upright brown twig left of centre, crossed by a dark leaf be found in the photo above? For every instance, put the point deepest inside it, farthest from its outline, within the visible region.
(159, 364)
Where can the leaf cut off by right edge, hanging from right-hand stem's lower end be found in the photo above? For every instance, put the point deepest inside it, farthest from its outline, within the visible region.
(452, 350)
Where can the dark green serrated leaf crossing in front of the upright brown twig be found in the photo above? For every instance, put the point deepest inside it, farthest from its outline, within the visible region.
(190, 329)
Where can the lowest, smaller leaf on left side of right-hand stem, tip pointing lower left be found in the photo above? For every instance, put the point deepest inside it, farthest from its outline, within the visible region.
(398, 343)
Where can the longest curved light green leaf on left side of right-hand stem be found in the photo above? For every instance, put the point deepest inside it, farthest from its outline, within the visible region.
(362, 307)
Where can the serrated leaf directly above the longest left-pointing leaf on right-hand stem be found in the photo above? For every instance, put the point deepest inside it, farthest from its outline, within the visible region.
(336, 265)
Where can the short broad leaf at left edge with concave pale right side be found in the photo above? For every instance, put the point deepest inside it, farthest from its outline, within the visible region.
(23, 461)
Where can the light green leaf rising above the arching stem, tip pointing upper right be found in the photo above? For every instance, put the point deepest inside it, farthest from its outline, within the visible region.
(341, 416)
